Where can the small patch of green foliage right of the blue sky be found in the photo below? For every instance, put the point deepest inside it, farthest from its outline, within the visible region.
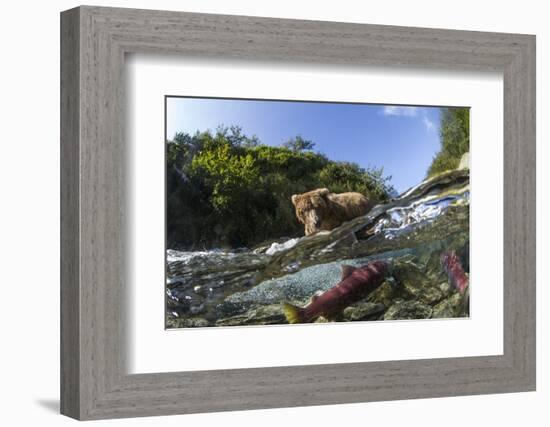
(455, 140)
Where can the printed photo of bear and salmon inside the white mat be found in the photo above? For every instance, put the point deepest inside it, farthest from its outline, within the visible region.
(362, 215)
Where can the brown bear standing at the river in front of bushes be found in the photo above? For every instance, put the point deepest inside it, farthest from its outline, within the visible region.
(322, 210)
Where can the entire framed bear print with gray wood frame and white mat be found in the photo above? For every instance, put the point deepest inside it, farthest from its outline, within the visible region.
(304, 212)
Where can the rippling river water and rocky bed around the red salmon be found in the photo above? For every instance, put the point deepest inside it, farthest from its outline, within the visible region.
(248, 287)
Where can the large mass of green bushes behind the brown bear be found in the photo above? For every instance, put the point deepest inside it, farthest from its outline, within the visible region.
(225, 189)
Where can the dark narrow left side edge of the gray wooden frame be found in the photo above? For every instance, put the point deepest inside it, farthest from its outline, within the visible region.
(70, 291)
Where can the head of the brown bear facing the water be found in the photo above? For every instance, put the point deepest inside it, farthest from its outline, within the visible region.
(311, 208)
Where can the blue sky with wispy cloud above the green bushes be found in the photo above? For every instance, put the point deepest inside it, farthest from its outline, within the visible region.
(401, 139)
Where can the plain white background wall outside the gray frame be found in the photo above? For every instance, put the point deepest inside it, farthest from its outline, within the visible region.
(29, 212)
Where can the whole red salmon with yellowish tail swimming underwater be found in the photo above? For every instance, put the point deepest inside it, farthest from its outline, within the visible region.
(356, 284)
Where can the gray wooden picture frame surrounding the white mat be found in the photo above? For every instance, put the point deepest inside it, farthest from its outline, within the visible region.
(94, 41)
